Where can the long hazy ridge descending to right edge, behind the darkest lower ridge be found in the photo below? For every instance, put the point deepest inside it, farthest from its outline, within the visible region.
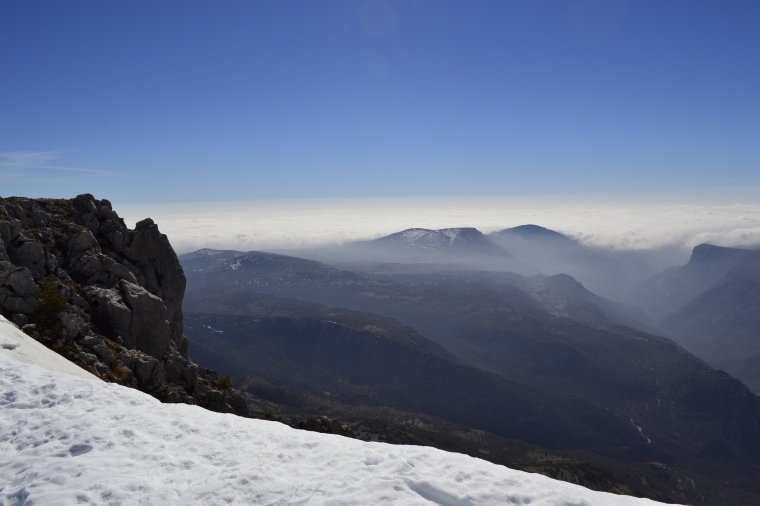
(699, 415)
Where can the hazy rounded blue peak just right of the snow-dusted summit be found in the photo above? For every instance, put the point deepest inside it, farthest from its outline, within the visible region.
(604, 272)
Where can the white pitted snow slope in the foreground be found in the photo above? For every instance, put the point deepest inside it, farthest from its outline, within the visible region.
(67, 440)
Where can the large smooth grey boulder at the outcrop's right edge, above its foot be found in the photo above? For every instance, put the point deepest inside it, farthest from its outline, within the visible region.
(149, 327)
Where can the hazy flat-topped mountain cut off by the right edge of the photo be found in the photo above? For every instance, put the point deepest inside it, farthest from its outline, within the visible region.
(710, 306)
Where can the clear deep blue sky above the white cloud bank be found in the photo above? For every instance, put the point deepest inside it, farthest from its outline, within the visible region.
(185, 100)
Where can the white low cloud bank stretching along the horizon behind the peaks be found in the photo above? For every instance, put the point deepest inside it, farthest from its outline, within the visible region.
(607, 223)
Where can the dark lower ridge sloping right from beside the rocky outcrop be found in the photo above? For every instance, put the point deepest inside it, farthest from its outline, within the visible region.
(364, 359)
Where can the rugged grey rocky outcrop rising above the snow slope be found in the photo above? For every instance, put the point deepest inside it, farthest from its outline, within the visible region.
(107, 297)
